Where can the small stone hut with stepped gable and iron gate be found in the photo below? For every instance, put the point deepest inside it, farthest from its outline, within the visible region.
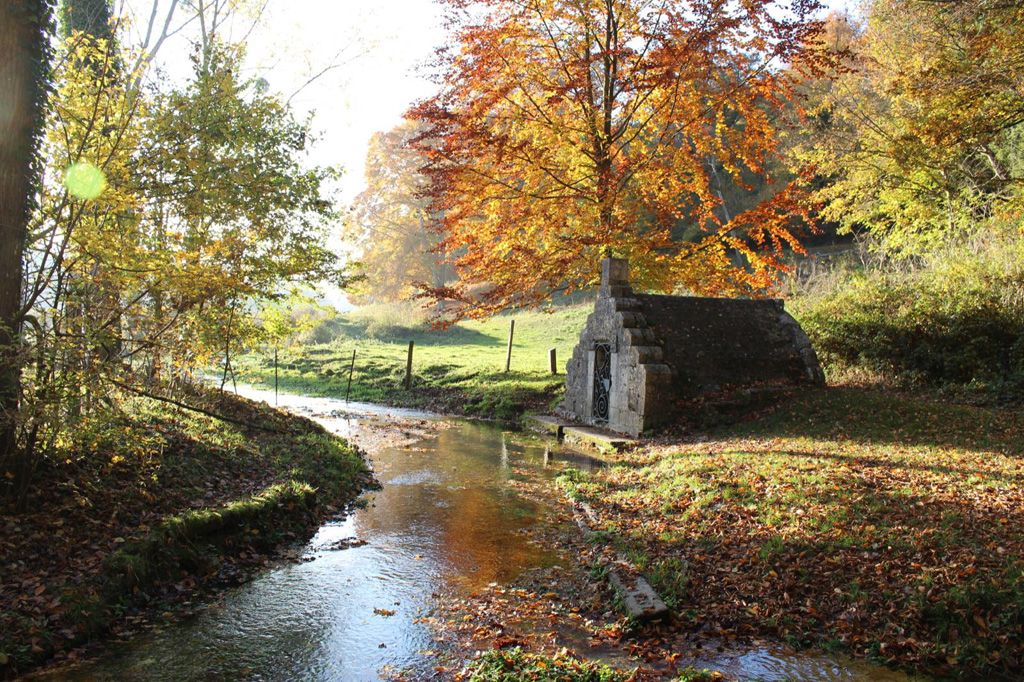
(642, 354)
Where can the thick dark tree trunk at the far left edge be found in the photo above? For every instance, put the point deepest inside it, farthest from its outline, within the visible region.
(22, 40)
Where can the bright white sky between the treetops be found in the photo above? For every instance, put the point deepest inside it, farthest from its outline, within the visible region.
(380, 42)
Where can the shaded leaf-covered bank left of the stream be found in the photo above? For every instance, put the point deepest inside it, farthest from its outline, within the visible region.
(150, 504)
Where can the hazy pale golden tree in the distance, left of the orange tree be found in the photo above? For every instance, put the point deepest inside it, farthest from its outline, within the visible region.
(392, 221)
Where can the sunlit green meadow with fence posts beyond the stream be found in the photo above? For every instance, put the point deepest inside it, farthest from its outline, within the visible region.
(457, 371)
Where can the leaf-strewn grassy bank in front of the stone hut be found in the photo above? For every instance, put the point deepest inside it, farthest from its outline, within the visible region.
(873, 523)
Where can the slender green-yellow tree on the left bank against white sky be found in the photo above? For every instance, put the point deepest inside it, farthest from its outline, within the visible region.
(237, 218)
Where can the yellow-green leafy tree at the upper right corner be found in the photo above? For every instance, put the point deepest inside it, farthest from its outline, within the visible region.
(922, 135)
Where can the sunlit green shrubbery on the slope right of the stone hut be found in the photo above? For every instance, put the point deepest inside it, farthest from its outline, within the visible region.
(956, 319)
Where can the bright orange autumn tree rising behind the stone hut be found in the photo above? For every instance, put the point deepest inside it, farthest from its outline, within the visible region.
(568, 129)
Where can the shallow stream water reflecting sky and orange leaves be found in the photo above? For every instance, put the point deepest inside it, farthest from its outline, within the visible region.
(447, 517)
